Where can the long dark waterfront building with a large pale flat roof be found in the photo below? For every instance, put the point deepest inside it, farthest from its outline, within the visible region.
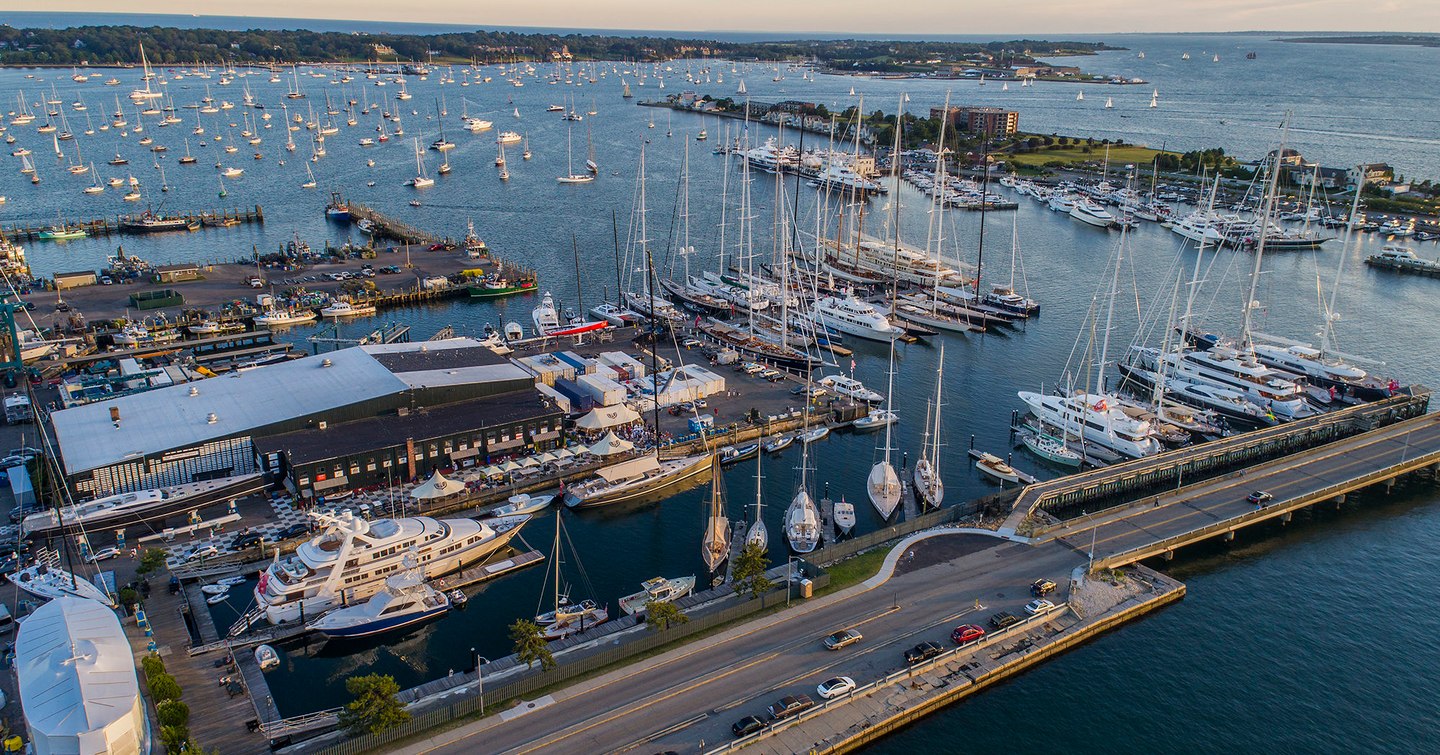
(359, 414)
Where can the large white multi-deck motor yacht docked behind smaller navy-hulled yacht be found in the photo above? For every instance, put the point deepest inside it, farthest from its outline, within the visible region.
(351, 560)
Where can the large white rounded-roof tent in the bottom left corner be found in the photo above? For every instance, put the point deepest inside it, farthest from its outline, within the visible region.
(78, 681)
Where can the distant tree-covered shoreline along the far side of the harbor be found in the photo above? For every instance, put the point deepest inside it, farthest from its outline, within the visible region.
(119, 45)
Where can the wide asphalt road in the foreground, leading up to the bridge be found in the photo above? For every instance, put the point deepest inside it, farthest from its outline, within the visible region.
(693, 695)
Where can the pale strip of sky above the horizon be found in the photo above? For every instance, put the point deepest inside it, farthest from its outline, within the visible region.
(832, 17)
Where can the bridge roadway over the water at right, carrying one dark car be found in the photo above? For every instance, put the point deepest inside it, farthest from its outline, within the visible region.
(1216, 501)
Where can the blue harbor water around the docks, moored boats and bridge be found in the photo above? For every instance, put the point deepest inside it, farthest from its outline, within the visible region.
(1277, 643)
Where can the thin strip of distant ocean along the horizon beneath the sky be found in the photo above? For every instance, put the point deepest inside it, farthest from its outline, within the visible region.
(685, 34)
